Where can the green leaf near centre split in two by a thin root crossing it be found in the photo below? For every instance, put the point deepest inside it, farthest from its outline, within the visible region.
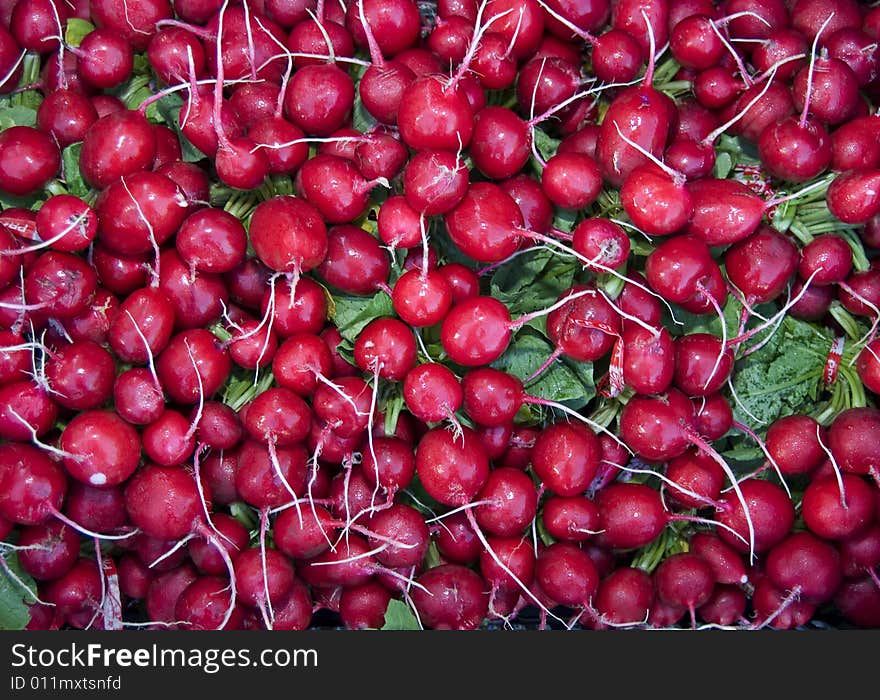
(566, 381)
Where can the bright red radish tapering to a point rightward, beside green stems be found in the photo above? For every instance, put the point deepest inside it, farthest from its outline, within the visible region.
(725, 211)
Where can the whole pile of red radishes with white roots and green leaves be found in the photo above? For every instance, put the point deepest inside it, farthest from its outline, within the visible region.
(439, 314)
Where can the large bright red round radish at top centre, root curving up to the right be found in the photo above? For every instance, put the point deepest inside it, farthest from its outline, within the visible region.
(432, 117)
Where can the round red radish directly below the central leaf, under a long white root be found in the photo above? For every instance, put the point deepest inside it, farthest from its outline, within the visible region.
(566, 458)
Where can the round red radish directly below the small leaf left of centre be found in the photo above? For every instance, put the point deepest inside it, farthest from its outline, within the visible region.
(387, 346)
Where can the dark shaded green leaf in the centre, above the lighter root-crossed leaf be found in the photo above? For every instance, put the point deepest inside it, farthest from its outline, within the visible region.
(532, 281)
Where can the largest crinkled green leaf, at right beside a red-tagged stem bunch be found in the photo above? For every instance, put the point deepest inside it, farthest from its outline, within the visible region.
(783, 377)
